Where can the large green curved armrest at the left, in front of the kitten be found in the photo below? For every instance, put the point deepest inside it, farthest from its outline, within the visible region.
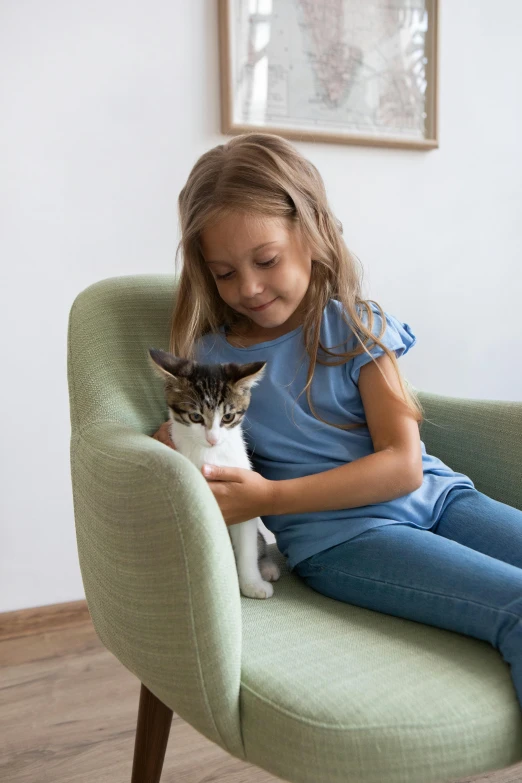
(159, 574)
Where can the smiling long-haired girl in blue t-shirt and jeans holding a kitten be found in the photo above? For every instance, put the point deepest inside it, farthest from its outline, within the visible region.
(342, 479)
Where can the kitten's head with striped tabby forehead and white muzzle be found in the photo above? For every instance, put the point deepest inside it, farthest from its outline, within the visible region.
(211, 399)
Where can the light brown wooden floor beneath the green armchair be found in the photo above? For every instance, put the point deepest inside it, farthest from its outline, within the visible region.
(69, 712)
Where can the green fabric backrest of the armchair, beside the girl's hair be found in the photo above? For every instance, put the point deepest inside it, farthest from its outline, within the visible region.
(116, 321)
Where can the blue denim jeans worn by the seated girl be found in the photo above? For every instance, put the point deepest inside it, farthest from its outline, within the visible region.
(464, 575)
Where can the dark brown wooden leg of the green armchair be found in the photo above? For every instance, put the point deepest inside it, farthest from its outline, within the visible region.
(152, 734)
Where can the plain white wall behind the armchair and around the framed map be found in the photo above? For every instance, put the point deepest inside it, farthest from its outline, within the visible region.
(104, 108)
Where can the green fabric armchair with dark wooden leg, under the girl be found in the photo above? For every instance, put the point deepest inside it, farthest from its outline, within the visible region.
(311, 689)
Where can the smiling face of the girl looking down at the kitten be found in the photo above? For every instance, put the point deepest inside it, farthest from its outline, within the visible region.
(258, 263)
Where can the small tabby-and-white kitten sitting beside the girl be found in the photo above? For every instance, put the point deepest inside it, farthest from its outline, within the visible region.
(206, 404)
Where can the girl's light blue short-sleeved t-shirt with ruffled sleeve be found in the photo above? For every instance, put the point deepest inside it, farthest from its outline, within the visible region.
(286, 441)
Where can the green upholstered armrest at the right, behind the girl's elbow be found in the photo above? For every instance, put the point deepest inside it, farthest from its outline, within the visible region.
(480, 438)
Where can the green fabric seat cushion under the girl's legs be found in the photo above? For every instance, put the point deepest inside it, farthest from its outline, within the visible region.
(332, 692)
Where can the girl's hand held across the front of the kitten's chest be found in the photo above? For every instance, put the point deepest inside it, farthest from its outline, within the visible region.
(241, 494)
